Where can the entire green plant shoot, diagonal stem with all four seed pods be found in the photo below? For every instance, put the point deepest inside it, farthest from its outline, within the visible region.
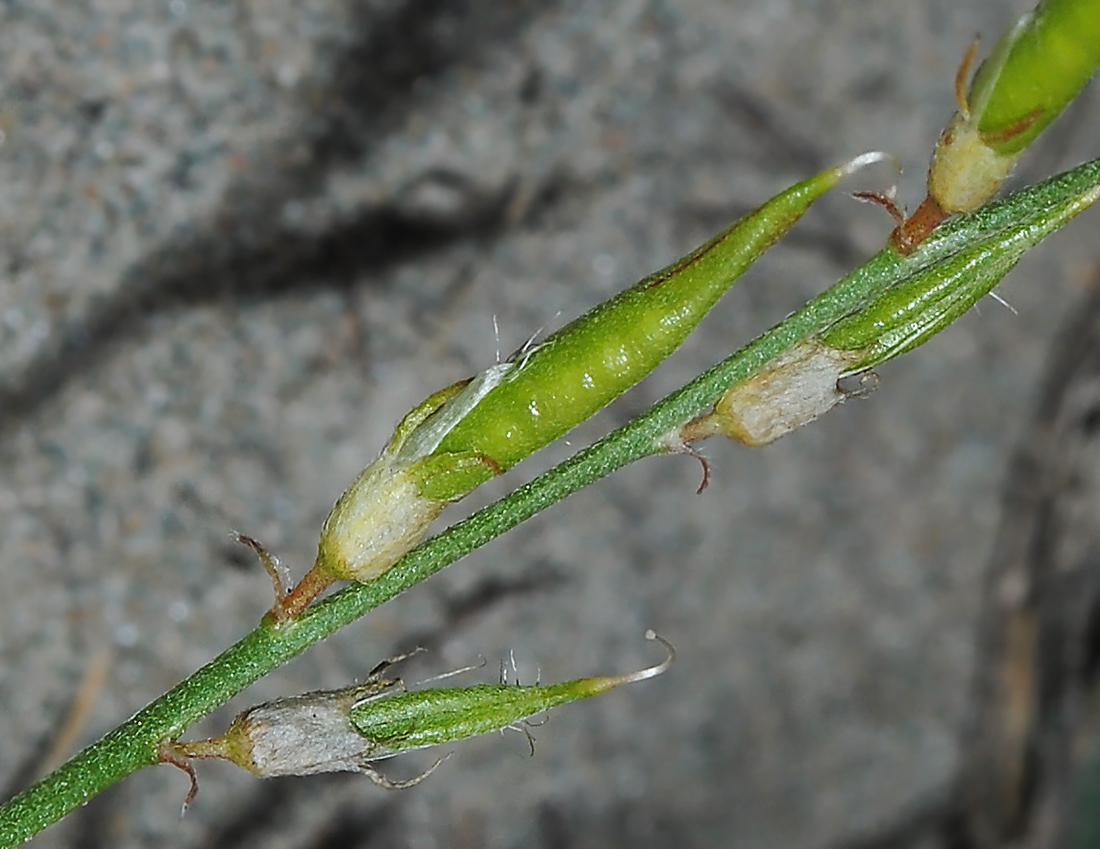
(466, 434)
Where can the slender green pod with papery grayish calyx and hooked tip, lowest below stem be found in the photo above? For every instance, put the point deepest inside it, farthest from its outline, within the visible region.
(350, 730)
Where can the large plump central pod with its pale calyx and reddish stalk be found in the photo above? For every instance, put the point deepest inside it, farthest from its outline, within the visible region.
(465, 435)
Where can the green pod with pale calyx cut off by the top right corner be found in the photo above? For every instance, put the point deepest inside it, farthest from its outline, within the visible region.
(1039, 67)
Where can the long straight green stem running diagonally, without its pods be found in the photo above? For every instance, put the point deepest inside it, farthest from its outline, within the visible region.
(136, 743)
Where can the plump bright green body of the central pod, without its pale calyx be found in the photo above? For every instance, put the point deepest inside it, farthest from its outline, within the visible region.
(584, 367)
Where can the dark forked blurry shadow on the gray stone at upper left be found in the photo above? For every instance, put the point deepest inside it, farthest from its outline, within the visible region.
(245, 252)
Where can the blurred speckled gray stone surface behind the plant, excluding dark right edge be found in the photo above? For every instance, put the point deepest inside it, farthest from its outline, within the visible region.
(243, 238)
